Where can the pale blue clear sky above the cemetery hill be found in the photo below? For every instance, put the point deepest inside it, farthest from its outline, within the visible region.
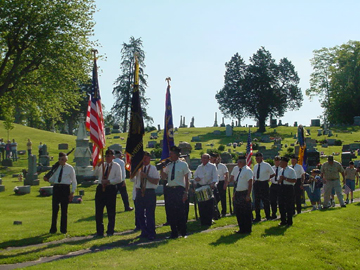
(190, 41)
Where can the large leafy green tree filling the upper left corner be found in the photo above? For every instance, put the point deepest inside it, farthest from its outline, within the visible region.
(44, 53)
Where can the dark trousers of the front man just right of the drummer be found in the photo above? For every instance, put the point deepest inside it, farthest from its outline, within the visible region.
(243, 211)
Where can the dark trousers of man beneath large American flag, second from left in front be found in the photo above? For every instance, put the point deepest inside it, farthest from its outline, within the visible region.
(106, 199)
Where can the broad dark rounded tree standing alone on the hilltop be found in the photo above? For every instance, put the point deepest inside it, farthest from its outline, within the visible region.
(260, 89)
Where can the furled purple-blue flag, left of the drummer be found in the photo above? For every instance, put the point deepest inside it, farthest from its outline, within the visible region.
(168, 138)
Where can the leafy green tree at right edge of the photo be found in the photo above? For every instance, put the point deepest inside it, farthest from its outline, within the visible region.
(336, 80)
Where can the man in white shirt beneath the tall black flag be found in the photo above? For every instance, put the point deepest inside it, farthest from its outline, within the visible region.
(146, 181)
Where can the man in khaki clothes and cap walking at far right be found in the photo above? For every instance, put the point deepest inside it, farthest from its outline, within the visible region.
(330, 174)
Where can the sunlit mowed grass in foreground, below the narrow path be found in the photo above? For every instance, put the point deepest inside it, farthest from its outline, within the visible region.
(317, 240)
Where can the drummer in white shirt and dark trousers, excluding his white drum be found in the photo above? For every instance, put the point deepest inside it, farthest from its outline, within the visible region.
(206, 175)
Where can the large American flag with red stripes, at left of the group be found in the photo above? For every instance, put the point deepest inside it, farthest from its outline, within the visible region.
(95, 119)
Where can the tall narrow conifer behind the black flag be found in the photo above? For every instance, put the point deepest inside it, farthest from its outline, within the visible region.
(124, 83)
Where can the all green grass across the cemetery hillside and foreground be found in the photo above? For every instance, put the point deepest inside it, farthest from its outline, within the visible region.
(318, 240)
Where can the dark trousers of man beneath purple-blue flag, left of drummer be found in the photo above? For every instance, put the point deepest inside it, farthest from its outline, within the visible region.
(176, 210)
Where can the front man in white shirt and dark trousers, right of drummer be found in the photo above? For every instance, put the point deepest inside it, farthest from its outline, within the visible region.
(243, 175)
